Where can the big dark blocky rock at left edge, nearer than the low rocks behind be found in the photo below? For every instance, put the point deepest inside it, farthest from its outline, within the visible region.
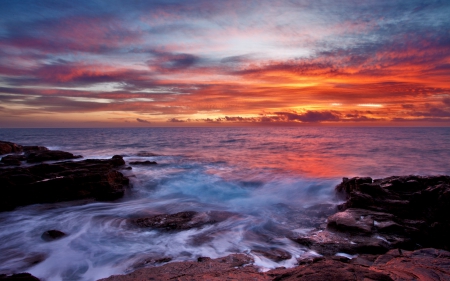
(64, 181)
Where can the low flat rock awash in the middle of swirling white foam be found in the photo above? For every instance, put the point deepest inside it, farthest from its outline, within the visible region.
(182, 220)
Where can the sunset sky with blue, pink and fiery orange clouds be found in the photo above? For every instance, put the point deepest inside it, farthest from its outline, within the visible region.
(224, 63)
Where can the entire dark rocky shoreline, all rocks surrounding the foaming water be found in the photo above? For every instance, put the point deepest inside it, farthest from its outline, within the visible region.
(395, 228)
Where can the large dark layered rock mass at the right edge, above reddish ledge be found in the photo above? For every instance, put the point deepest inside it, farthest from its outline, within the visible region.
(412, 207)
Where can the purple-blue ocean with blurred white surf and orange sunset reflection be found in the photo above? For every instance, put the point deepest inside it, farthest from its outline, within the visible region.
(266, 176)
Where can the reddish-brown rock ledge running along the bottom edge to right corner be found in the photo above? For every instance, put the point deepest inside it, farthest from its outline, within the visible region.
(420, 265)
